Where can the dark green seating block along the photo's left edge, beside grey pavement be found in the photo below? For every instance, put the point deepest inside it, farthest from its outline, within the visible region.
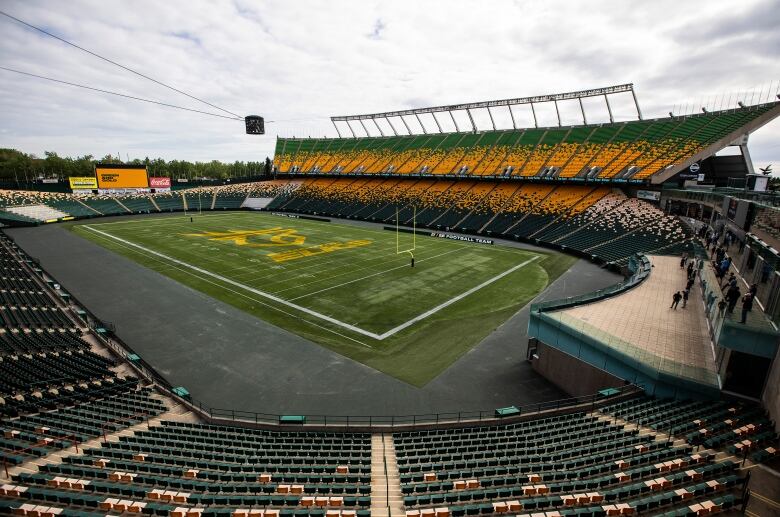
(55, 390)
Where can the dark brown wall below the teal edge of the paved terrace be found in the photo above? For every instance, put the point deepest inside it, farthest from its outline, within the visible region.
(572, 375)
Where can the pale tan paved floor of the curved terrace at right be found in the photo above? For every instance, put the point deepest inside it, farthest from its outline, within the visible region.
(641, 324)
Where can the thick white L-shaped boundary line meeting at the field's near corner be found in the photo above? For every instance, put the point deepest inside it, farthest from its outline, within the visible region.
(316, 314)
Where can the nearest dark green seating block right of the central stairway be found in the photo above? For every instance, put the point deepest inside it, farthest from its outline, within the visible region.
(580, 464)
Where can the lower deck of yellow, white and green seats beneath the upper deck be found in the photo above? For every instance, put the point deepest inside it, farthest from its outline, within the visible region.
(597, 221)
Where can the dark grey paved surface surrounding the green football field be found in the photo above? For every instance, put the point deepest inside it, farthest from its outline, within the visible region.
(230, 359)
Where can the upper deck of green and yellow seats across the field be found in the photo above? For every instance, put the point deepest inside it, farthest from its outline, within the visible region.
(622, 150)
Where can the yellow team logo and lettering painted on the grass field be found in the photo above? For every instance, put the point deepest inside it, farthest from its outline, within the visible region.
(278, 236)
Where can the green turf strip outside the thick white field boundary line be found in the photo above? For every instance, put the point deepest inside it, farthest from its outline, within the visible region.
(415, 355)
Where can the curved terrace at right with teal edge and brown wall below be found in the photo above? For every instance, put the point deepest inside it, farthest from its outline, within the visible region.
(627, 333)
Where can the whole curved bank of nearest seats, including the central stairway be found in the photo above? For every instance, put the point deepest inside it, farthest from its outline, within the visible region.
(576, 464)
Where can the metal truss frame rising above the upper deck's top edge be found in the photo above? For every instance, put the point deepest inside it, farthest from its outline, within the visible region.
(486, 105)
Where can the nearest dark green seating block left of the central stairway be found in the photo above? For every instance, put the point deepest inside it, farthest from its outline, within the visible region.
(216, 470)
